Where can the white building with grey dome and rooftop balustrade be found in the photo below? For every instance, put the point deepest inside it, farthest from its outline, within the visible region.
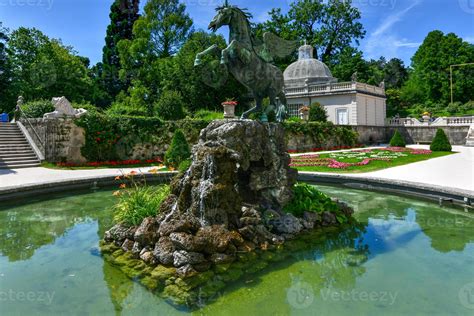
(308, 80)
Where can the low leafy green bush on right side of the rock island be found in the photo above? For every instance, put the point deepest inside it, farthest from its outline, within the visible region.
(309, 199)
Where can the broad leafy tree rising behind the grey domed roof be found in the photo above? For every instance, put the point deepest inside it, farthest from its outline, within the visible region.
(329, 26)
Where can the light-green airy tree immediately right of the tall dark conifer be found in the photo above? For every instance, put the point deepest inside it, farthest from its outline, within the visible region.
(157, 36)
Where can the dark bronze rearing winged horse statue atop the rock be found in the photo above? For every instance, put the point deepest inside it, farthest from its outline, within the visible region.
(249, 59)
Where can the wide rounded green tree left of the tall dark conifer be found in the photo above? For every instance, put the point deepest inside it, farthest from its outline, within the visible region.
(44, 67)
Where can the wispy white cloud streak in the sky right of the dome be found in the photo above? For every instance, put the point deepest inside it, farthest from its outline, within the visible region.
(383, 41)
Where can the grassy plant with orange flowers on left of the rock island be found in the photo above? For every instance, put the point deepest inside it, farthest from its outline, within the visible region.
(139, 202)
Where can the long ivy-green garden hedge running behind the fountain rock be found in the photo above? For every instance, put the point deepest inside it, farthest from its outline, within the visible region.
(110, 137)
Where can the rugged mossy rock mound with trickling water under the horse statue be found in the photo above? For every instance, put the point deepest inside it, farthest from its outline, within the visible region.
(227, 204)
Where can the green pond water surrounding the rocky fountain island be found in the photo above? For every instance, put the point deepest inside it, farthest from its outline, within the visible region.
(409, 258)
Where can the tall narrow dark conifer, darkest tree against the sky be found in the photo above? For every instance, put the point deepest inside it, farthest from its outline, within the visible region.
(123, 14)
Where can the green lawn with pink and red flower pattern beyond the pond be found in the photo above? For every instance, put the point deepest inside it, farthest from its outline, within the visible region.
(329, 162)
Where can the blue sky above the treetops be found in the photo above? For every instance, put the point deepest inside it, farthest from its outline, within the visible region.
(395, 28)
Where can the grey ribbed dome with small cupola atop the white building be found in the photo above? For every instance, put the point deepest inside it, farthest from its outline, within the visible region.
(307, 70)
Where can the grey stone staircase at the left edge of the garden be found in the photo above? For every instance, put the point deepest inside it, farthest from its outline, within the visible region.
(15, 151)
